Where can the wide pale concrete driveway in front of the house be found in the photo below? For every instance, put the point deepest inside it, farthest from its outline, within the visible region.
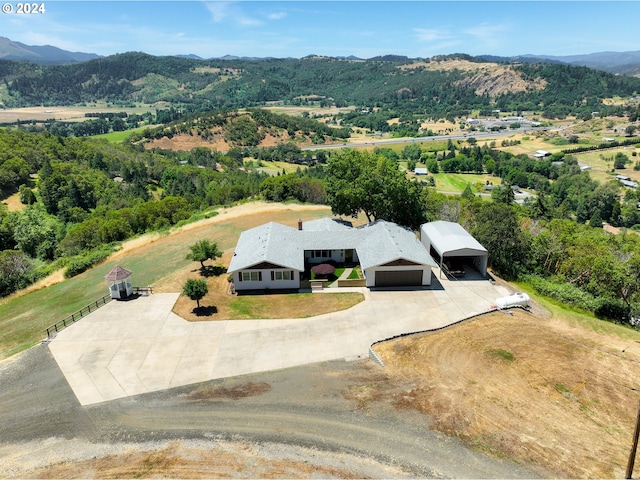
(138, 346)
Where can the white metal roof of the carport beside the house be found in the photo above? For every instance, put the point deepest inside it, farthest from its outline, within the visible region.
(451, 238)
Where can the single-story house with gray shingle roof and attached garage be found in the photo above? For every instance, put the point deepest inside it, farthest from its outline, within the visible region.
(275, 256)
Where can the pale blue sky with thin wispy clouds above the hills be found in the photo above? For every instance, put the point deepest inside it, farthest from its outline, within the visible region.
(337, 28)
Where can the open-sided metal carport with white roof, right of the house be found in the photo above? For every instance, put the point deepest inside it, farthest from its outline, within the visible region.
(449, 241)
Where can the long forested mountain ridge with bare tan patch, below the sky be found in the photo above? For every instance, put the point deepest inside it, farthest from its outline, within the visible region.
(441, 87)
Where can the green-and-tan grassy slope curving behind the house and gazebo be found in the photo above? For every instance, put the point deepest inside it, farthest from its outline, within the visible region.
(159, 261)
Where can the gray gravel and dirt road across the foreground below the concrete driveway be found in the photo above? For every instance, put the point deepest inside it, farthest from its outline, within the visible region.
(320, 419)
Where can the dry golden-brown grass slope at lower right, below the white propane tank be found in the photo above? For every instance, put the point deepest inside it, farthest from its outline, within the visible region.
(527, 387)
